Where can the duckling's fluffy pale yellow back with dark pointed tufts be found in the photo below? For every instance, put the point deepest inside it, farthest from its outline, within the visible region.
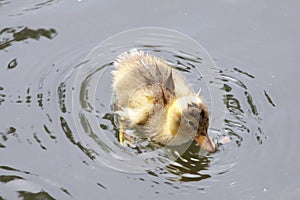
(141, 79)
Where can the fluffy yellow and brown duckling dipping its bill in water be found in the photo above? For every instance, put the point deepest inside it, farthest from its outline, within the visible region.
(154, 99)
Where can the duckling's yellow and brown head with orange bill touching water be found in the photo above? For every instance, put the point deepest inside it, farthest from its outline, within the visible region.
(187, 119)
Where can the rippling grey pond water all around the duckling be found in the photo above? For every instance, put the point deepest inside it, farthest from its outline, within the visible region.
(58, 132)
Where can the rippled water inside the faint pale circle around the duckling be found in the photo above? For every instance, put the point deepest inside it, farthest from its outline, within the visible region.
(92, 101)
